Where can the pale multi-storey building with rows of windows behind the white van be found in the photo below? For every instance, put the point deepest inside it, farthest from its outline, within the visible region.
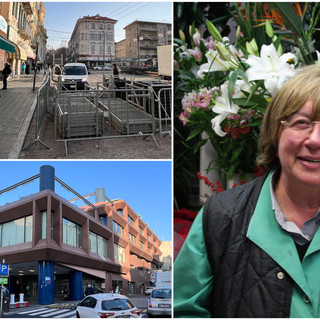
(92, 41)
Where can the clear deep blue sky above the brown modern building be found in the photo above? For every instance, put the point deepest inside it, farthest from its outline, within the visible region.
(145, 185)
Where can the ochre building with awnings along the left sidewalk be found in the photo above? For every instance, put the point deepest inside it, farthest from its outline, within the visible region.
(23, 23)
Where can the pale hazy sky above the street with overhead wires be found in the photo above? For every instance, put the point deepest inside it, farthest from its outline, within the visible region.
(61, 17)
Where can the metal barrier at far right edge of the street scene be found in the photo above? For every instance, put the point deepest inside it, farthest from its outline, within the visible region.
(164, 100)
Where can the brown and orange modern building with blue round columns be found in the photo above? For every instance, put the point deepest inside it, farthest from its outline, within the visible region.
(52, 245)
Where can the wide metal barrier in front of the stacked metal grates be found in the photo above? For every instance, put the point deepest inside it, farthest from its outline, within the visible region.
(105, 113)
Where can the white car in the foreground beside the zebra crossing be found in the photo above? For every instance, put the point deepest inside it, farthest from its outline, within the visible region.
(107, 305)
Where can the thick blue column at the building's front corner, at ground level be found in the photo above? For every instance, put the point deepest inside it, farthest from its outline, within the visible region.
(46, 282)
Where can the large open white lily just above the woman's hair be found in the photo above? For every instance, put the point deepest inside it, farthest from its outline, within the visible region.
(271, 67)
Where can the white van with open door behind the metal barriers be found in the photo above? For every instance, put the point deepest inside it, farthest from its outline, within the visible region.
(73, 75)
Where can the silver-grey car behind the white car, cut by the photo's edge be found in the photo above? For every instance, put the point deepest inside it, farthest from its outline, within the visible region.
(160, 302)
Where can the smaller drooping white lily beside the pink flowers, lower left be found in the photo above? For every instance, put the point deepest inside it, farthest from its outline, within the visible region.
(223, 108)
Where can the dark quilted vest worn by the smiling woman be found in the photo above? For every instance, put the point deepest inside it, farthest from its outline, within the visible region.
(245, 278)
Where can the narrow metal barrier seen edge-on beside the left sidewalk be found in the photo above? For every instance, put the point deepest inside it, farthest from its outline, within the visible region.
(41, 110)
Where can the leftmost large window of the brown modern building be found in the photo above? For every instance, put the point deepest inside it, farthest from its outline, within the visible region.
(16, 231)
